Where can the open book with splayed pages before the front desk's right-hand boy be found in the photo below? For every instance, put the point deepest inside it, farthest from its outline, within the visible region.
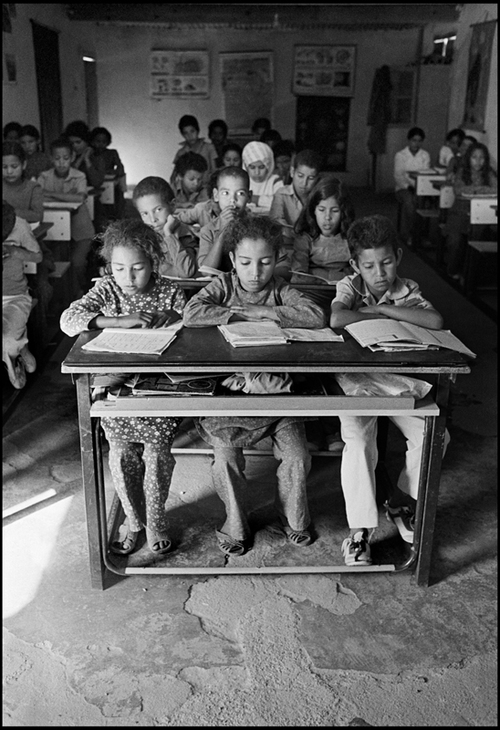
(390, 335)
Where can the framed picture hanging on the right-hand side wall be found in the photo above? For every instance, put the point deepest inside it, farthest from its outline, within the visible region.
(478, 75)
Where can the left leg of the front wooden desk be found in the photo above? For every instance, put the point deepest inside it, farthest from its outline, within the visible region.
(89, 455)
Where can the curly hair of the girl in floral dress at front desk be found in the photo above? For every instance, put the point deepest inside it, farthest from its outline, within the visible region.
(131, 233)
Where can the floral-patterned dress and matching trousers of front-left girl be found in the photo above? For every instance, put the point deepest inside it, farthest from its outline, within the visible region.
(140, 459)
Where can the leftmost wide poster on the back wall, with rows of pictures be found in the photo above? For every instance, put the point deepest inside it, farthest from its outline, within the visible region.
(179, 74)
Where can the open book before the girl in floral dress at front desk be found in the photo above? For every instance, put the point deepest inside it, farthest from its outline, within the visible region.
(140, 341)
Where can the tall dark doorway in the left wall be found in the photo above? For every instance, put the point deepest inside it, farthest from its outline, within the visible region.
(48, 81)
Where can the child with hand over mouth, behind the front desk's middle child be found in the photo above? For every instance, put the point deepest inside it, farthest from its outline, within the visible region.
(231, 193)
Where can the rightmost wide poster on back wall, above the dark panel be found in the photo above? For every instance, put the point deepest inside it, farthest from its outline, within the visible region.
(324, 70)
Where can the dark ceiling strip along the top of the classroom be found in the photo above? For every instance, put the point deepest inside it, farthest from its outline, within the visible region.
(279, 17)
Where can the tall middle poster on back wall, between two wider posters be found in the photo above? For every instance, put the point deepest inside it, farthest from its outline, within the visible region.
(247, 89)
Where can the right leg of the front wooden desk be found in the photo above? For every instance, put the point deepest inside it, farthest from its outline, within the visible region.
(435, 428)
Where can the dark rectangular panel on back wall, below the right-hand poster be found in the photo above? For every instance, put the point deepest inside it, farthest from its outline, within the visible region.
(322, 124)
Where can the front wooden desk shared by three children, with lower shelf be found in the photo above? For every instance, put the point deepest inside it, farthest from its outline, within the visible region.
(204, 350)
